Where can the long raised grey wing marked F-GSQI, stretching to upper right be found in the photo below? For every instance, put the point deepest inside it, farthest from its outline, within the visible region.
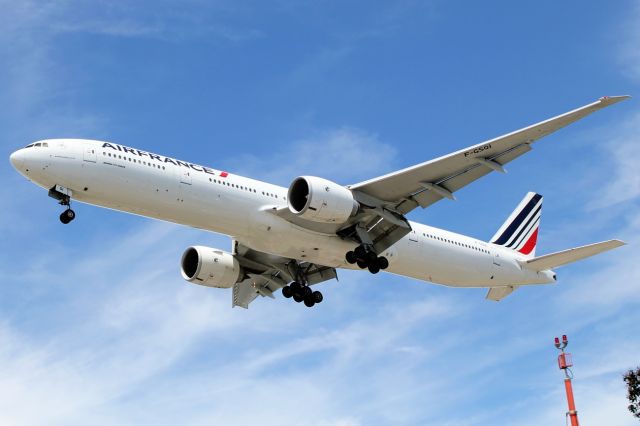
(426, 183)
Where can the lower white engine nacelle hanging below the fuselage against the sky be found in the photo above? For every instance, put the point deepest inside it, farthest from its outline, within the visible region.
(210, 267)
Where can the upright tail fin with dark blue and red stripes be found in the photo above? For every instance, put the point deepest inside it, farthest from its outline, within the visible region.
(520, 231)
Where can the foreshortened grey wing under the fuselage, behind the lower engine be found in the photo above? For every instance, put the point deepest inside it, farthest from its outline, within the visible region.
(265, 273)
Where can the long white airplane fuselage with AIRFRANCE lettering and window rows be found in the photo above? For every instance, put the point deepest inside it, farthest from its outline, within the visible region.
(139, 182)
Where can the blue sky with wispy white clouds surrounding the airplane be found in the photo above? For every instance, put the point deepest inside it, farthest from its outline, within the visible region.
(97, 326)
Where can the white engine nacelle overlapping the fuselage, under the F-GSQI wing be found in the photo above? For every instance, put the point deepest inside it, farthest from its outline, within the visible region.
(321, 200)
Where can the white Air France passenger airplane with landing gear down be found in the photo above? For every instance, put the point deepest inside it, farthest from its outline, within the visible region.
(289, 239)
